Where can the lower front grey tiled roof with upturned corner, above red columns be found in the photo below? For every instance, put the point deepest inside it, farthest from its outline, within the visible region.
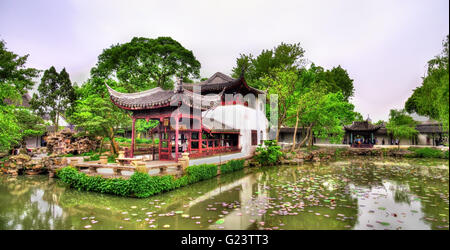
(157, 97)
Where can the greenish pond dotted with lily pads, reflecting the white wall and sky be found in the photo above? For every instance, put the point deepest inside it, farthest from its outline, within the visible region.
(357, 193)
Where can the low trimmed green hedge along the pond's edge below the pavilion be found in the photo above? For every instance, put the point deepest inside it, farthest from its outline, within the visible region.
(142, 185)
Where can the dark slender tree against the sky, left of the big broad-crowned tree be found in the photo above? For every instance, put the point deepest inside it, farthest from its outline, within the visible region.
(56, 95)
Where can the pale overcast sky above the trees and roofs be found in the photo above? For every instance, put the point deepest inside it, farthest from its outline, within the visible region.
(384, 45)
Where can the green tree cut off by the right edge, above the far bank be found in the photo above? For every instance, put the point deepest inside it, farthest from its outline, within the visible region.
(432, 97)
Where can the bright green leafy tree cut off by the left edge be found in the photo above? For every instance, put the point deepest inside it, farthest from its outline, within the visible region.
(15, 80)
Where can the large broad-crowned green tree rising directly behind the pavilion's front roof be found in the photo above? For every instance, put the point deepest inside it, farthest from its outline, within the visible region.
(145, 63)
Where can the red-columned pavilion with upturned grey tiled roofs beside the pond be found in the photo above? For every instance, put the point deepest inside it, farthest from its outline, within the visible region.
(180, 112)
